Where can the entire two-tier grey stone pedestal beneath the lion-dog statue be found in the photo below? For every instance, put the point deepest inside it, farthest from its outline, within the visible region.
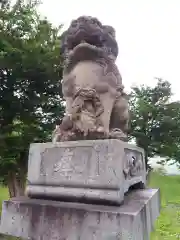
(79, 191)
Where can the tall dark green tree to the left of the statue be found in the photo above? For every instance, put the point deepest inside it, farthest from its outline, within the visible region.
(30, 88)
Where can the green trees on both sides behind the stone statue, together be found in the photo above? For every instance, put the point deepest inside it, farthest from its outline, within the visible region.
(31, 97)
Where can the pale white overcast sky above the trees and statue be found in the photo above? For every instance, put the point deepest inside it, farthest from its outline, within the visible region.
(147, 31)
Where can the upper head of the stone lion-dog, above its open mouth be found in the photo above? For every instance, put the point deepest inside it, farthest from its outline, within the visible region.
(90, 30)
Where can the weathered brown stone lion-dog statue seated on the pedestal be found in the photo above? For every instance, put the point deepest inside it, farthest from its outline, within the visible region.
(96, 106)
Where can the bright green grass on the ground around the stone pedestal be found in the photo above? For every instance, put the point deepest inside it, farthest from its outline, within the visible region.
(168, 224)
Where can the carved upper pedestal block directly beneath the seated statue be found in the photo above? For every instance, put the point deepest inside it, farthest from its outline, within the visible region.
(95, 170)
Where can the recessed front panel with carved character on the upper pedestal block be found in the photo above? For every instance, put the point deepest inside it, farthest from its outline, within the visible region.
(85, 164)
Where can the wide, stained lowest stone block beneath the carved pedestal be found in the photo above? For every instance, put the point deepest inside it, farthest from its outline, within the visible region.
(51, 220)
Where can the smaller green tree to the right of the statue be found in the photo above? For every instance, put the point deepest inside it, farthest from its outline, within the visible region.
(155, 120)
